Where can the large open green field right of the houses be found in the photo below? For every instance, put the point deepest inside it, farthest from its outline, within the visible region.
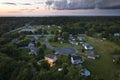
(103, 67)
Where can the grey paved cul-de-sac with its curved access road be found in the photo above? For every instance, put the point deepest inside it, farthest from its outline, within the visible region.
(63, 51)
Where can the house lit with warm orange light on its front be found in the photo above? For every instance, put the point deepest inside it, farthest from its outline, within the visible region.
(51, 59)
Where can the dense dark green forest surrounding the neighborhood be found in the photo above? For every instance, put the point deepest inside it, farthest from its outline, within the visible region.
(15, 65)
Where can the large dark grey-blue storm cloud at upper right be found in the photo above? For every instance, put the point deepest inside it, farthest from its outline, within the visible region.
(83, 4)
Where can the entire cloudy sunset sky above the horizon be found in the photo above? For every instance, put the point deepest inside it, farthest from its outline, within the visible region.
(59, 7)
